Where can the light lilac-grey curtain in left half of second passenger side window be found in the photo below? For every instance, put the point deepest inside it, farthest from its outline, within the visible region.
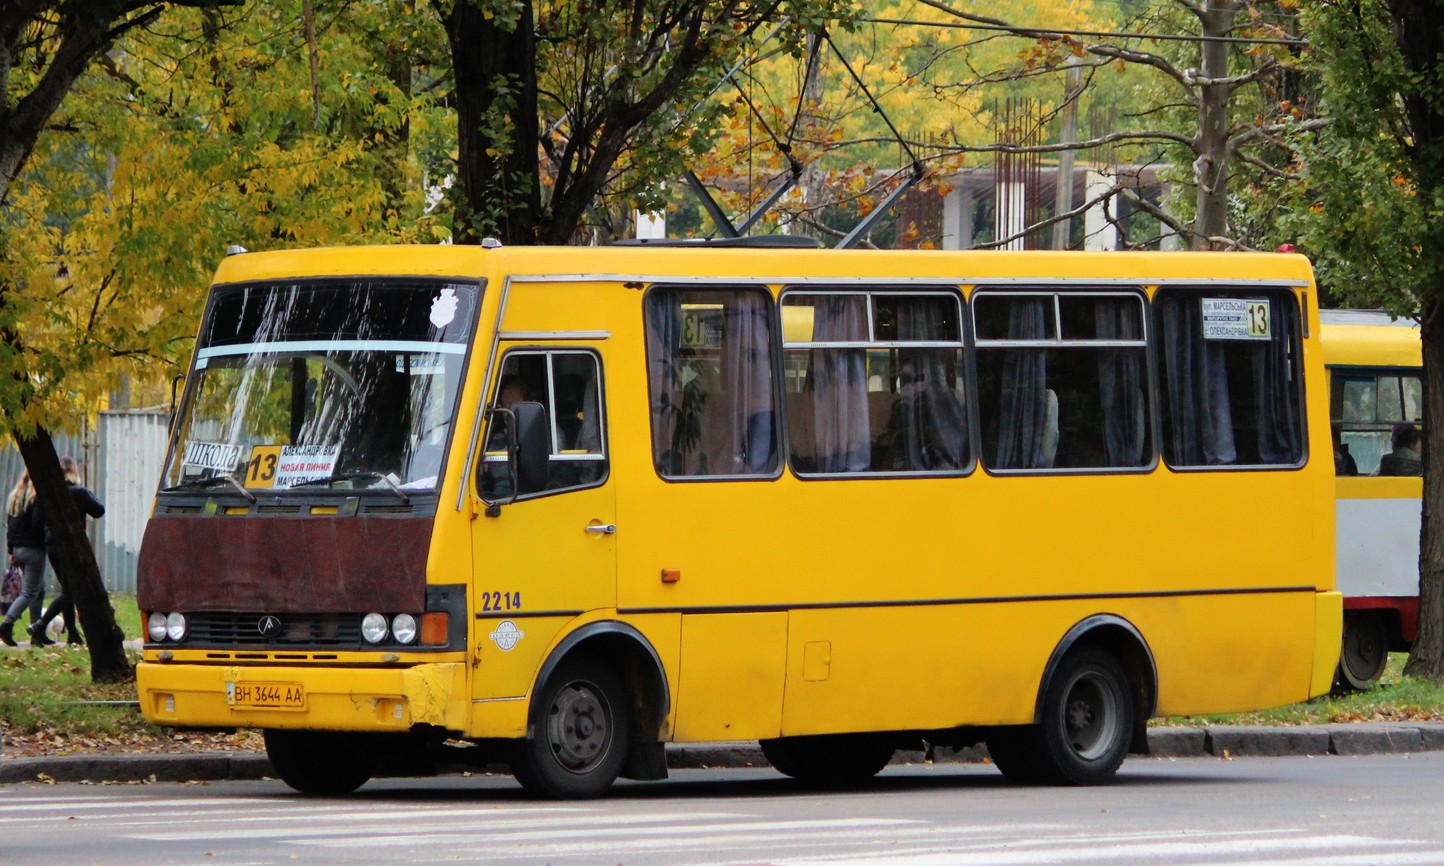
(840, 385)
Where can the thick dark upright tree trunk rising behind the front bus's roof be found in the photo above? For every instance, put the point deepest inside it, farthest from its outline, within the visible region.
(497, 125)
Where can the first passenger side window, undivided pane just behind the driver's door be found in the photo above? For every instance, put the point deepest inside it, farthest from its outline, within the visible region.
(710, 375)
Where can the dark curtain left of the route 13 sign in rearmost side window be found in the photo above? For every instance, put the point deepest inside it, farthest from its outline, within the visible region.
(1201, 418)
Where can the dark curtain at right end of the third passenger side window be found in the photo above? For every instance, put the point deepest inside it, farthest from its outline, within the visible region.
(1121, 385)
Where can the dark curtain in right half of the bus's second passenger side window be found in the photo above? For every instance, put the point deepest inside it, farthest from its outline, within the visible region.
(929, 412)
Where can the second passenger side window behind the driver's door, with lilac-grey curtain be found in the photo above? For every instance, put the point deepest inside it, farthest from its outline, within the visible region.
(874, 382)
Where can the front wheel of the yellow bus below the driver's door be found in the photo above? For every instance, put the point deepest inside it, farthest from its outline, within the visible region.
(578, 734)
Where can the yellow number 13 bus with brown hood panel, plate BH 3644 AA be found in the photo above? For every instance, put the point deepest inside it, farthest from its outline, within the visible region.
(562, 507)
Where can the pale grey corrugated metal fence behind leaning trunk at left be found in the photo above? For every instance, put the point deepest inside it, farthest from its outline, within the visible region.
(122, 458)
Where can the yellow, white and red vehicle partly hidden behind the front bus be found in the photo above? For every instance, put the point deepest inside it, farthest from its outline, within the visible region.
(1377, 395)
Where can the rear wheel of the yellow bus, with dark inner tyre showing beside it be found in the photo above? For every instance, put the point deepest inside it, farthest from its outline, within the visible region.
(1088, 724)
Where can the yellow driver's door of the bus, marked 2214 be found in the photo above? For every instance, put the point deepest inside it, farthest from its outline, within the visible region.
(547, 556)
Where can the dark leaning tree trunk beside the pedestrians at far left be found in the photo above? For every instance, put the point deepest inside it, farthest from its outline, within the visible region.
(74, 559)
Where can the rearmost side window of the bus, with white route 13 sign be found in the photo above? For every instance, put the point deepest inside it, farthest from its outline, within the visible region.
(1231, 377)
